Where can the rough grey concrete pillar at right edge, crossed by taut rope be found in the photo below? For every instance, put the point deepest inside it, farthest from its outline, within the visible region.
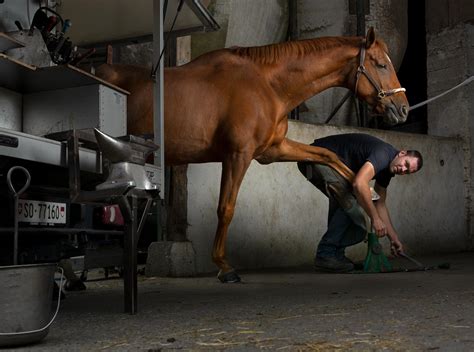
(450, 60)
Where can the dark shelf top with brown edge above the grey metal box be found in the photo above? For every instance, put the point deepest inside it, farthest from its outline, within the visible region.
(23, 78)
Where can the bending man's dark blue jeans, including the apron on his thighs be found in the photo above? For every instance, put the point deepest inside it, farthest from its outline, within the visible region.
(346, 220)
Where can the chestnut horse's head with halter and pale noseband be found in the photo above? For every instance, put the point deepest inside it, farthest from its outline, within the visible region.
(377, 82)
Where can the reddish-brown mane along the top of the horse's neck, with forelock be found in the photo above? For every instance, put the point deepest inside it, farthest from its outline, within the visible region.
(272, 53)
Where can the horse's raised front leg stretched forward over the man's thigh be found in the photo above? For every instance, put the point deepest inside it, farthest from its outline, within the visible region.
(289, 150)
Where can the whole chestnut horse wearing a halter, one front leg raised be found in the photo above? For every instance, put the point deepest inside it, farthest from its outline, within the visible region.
(231, 106)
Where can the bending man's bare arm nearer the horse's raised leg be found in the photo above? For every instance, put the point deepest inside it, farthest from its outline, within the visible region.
(364, 197)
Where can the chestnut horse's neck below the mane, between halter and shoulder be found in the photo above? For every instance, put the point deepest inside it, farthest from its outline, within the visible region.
(298, 78)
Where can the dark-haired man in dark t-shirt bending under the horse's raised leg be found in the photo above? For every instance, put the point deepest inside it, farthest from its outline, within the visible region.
(369, 158)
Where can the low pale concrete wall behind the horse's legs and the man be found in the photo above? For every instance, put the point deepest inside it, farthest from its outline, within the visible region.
(280, 217)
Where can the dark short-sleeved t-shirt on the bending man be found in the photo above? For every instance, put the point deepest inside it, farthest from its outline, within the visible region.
(354, 149)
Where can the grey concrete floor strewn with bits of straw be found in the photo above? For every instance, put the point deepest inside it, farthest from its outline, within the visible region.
(285, 310)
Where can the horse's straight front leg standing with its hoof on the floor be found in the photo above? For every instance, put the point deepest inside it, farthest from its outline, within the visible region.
(233, 171)
